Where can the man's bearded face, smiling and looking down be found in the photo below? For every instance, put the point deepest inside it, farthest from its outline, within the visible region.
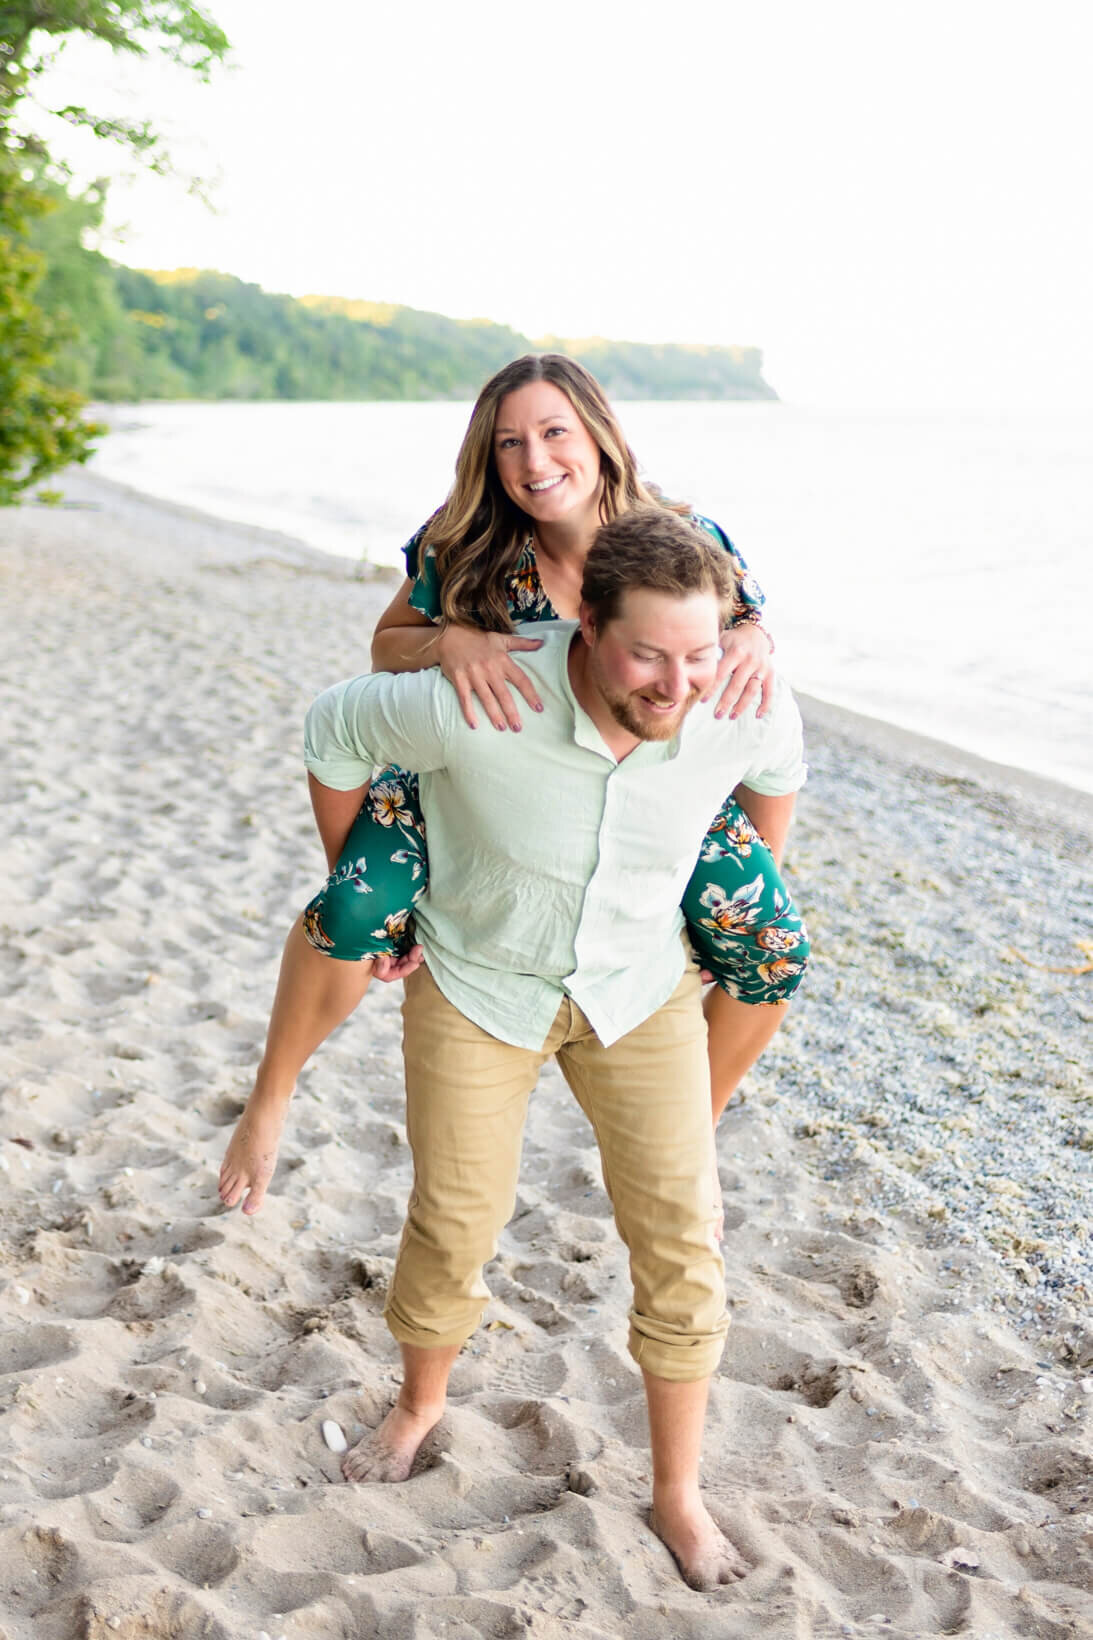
(656, 658)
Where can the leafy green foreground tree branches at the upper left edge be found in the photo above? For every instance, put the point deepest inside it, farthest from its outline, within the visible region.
(42, 427)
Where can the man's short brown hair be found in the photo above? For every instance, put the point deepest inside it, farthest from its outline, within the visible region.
(649, 549)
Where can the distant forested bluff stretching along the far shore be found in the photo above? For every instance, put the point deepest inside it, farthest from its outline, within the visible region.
(206, 335)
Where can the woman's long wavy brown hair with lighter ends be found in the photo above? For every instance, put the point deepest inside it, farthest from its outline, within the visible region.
(478, 534)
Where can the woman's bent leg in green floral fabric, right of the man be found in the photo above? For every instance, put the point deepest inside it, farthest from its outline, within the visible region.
(748, 932)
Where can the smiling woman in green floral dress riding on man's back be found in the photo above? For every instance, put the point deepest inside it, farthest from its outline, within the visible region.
(544, 463)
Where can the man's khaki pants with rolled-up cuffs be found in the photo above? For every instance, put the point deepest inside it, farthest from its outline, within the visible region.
(647, 1098)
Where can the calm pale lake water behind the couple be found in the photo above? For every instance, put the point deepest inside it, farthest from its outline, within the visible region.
(933, 572)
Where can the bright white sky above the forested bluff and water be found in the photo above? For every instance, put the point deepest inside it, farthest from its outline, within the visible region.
(890, 199)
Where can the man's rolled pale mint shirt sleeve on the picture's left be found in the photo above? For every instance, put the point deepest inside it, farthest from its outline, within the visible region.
(365, 722)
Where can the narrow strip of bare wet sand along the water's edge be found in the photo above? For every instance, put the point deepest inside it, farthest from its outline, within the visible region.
(880, 734)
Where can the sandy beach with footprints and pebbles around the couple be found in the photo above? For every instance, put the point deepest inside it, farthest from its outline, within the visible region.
(900, 1434)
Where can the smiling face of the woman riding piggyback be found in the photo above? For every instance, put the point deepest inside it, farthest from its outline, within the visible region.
(547, 460)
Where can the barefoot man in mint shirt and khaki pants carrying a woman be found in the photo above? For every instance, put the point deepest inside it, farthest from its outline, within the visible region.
(552, 926)
